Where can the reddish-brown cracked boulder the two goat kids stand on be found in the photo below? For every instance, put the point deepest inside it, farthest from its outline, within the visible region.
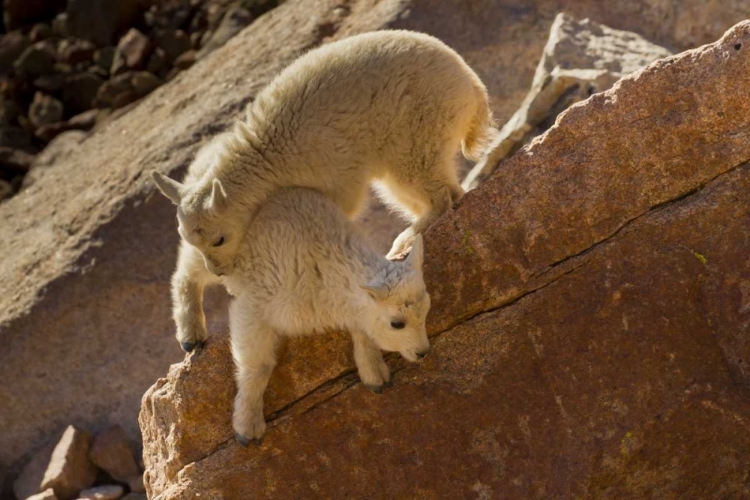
(590, 315)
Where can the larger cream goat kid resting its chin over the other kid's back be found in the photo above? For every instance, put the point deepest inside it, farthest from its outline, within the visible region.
(392, 107)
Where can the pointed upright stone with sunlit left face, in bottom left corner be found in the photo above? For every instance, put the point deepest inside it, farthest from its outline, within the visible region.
(70, 470)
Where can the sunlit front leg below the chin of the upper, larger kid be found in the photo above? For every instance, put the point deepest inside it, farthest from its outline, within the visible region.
(188, 282)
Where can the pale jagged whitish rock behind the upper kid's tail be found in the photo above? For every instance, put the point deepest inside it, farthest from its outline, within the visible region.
(581, 58)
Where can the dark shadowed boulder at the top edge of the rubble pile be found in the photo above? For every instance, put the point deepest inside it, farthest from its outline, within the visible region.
(100, 22)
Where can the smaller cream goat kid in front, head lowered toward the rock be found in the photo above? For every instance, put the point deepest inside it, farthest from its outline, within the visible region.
(305, 268)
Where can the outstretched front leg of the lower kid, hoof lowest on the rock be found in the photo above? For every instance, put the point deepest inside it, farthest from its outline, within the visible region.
(254, 352)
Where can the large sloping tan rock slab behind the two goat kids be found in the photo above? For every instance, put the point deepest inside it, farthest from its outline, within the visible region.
(87, 250)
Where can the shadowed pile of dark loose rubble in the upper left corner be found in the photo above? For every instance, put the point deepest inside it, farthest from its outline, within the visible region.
(60, 59)
